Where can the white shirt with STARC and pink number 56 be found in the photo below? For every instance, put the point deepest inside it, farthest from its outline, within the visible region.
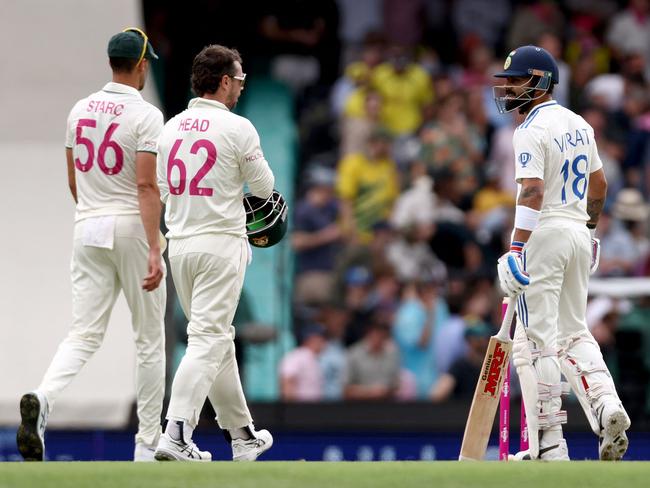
(105, 130)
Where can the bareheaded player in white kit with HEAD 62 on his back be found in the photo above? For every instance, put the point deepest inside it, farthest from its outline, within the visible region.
(205, 155)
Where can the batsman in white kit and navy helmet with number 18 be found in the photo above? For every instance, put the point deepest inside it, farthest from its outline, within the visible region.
(561, 192)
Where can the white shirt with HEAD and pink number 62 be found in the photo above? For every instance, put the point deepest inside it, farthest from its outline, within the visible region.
(205, 155)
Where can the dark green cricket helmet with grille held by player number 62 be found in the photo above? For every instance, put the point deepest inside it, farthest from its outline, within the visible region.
(266, 219)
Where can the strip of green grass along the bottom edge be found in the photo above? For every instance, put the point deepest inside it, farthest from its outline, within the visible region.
(328, 475)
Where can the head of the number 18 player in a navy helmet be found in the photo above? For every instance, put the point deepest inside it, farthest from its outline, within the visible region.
(532, 72)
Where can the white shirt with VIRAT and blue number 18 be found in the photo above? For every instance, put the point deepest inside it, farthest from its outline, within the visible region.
(558, 146)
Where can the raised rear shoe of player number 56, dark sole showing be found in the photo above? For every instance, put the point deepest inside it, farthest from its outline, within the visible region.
(30, 437)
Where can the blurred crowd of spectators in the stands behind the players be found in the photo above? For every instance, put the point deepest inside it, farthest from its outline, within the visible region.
(407, 190)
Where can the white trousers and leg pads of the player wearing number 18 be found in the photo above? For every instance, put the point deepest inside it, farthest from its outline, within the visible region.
(552, 319)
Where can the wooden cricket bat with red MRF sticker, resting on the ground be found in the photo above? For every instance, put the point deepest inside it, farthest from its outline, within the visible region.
(488, 390)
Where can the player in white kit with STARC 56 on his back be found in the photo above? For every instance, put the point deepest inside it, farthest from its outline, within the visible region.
(111, 155)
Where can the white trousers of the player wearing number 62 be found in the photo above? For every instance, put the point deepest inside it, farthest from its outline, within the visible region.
(208, 272)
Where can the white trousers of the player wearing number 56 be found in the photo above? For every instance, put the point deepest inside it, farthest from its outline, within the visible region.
(98, 274)
